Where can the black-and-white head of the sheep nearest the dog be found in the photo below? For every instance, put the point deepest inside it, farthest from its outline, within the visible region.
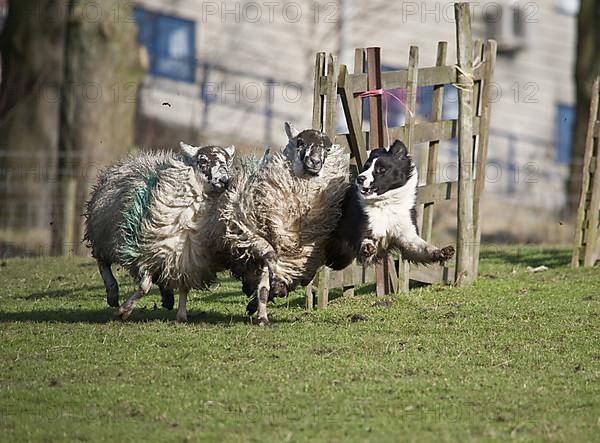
(307, 150)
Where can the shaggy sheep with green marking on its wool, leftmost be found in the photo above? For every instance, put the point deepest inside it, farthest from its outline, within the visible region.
(156, 214)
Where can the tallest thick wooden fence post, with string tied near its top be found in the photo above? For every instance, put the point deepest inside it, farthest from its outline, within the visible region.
(464, 247)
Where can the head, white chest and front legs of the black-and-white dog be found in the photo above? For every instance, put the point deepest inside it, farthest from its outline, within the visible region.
(388, 185)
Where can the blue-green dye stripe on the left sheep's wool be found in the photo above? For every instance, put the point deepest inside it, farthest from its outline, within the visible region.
(131, 227)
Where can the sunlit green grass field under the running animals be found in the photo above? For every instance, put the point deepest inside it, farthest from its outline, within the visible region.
(515, 356)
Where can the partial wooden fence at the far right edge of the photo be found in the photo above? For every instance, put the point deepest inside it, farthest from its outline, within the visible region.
(586, 249)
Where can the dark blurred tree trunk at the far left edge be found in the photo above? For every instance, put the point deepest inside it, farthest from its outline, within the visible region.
(32, 55)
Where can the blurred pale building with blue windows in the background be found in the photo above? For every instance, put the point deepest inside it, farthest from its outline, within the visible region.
(237, 69)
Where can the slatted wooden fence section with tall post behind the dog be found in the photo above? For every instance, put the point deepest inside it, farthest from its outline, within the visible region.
(472, 76)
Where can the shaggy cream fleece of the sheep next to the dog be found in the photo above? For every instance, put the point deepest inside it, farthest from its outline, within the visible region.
(269, 210)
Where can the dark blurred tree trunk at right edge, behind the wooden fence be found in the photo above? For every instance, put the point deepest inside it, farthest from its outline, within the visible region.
(586, 69)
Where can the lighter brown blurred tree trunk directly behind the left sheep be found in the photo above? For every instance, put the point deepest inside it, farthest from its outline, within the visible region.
(103, 68)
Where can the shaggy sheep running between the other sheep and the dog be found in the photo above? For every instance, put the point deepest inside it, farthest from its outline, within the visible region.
(279, 216)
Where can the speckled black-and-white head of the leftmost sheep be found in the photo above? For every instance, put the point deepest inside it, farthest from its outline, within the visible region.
(212, 164)
